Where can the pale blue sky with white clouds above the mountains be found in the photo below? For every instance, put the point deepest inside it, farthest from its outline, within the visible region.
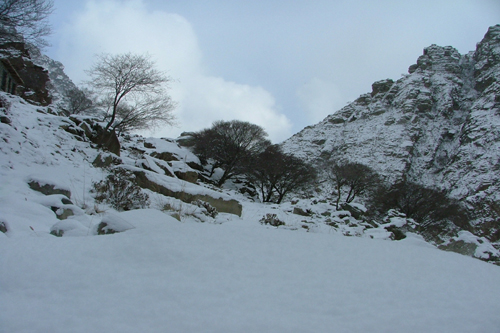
(283, 65)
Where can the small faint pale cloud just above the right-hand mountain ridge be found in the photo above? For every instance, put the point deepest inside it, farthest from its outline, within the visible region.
(319, 98)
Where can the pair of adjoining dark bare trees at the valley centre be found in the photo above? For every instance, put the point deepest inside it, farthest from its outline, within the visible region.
(241, 148)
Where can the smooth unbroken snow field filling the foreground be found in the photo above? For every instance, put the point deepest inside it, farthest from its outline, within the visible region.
(239, 277)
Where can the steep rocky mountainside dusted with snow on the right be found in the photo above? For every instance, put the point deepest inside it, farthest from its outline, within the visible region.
(438, 126)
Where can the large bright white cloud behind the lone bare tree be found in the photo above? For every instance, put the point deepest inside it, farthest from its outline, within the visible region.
(118, 27)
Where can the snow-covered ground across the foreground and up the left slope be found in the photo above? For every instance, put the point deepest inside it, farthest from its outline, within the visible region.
(229, 274)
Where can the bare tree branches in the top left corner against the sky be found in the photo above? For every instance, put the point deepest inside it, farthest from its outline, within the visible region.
(25, 21)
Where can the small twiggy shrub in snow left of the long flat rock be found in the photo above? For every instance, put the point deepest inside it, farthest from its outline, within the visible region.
(119, 191)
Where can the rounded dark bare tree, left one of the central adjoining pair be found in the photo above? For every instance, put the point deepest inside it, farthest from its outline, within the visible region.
(229, 144)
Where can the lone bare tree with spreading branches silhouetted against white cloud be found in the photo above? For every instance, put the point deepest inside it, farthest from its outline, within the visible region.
(132, 91)
